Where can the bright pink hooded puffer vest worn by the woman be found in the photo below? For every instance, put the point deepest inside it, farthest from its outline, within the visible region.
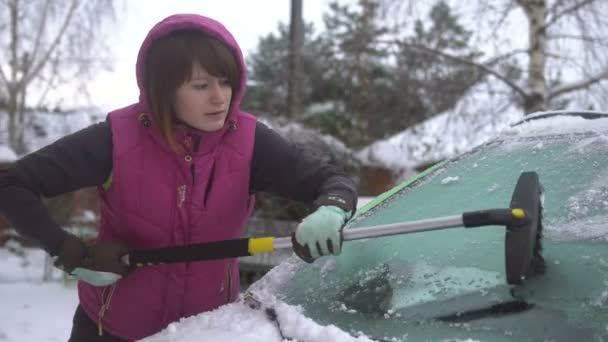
(156, 200)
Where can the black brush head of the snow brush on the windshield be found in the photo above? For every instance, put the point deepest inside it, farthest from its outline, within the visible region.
(523, 243)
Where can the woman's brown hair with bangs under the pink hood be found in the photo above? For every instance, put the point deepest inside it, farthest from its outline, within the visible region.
(169, 64)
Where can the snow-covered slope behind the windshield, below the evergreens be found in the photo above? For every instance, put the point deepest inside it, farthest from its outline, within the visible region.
(477, 117)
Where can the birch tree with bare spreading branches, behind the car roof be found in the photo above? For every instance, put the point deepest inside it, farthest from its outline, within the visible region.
(565, 51)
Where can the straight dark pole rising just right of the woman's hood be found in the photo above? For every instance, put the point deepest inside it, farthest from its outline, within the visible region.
(294, 88)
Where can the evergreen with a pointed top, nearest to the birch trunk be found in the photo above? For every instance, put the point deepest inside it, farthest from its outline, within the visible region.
(436, 82)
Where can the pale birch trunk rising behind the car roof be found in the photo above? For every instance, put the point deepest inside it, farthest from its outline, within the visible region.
(536, 12)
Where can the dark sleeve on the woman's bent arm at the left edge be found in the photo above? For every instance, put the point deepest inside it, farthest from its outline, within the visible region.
(79, 160)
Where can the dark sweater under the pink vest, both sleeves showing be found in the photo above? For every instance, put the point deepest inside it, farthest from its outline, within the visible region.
(84, 159)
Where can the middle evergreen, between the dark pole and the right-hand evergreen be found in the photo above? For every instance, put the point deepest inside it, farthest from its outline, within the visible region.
(356, 72)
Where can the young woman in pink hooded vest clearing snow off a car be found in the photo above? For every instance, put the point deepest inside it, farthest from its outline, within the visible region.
(180, 166)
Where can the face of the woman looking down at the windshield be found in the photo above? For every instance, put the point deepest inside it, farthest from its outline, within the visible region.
(204, 101)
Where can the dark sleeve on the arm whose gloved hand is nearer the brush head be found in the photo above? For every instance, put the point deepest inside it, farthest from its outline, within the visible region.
(289, 170)
